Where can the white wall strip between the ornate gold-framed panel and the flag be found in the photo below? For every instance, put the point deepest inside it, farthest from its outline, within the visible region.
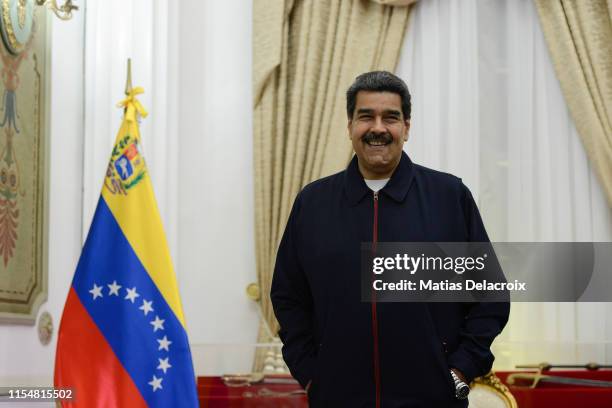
(24, 360)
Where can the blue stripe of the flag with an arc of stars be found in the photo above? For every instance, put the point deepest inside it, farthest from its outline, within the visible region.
(106, 257)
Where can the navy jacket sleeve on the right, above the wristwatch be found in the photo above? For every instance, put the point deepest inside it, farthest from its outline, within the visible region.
(484, 321)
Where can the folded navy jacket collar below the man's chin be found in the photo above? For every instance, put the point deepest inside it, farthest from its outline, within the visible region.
(397, 188)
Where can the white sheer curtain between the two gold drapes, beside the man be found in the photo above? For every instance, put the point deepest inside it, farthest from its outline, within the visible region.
(488, 108)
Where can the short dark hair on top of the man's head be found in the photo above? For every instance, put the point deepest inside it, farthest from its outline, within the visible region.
(378, 81)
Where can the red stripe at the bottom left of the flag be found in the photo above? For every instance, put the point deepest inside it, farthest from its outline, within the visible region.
(86, 363)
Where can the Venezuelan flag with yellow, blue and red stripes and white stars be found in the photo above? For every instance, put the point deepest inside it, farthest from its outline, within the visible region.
(122, 339)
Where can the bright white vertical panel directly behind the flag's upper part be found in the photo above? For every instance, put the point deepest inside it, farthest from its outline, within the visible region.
(146, 32)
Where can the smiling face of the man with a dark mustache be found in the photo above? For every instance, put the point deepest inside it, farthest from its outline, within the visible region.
(378, 131)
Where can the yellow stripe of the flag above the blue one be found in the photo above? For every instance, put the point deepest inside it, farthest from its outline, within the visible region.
(137, 214)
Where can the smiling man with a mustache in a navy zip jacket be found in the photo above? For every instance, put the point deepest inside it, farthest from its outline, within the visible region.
(349, 353)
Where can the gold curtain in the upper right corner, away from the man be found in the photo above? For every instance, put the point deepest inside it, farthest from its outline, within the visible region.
(579, 38)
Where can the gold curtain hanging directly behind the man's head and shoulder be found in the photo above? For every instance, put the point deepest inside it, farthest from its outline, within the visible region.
(306, 54)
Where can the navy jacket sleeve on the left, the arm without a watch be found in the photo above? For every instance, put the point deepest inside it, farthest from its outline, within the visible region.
(293, 305)
